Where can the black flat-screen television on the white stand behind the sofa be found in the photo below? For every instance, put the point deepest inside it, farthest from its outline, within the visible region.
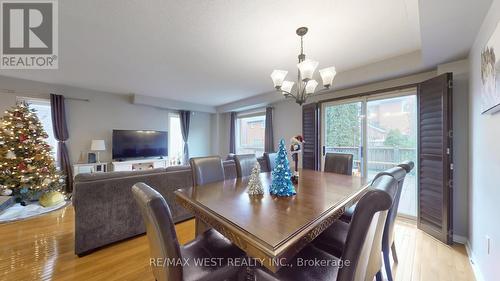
(129, 144)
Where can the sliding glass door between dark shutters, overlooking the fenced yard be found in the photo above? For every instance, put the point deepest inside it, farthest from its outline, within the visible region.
(380, 132)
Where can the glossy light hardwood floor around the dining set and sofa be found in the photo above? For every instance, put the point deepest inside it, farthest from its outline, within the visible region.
(42, 249)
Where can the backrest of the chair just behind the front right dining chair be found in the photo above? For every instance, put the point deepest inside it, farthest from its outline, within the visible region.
(398, 174)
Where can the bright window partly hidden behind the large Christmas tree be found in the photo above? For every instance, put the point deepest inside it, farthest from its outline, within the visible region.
(43, 111)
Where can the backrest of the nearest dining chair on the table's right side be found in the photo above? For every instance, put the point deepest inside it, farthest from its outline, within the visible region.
(364, 240)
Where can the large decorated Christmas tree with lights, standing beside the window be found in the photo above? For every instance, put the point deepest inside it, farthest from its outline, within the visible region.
(26, 162)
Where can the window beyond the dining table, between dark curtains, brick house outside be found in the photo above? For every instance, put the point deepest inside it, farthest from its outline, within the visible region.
(250, 134)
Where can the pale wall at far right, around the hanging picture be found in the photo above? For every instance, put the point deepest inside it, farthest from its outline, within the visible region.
(484, 163)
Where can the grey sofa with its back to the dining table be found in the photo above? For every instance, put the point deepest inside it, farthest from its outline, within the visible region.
(105, 211)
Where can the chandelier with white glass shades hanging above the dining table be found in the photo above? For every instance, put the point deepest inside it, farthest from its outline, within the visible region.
(306, 86)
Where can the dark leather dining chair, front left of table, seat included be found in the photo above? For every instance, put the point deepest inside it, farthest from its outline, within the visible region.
(164, 246)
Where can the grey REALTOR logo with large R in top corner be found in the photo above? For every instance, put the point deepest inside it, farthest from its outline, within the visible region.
(29, 34)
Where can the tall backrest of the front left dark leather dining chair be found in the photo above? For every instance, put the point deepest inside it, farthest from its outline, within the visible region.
(160, 230)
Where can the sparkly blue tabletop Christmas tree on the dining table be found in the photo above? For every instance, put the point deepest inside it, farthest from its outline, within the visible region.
(281, 174)
